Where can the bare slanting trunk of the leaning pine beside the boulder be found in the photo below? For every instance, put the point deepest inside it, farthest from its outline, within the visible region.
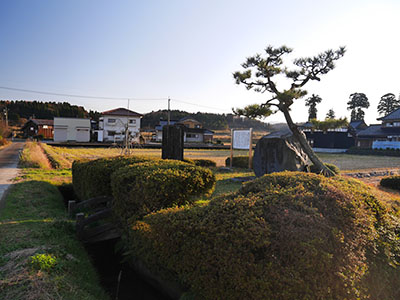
(305, 145)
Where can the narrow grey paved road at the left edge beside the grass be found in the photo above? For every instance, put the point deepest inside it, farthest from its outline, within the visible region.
(9, 158)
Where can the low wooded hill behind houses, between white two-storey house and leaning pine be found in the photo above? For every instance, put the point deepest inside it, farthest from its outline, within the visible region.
(209, 120)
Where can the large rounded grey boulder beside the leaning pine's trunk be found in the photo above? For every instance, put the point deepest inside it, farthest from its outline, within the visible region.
(277, 152)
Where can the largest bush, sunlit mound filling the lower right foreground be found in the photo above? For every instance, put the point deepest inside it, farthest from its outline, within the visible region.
(289, 235)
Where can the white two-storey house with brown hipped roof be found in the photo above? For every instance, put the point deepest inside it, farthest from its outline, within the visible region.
(113, 123)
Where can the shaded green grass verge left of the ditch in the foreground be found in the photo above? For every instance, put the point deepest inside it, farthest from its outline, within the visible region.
(40, 257)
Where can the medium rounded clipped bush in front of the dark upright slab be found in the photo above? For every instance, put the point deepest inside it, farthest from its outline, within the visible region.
(146, 187)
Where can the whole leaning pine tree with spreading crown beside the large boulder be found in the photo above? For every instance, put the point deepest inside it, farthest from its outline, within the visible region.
(261, 73)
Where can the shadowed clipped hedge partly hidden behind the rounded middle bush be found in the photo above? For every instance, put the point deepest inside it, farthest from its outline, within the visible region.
(92, 178)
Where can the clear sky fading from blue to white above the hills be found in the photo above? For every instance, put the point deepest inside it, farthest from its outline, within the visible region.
(149, 51)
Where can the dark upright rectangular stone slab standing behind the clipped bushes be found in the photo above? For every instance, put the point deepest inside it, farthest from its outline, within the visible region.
(172, 142)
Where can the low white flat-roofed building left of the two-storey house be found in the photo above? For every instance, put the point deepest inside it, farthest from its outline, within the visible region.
(71, 129)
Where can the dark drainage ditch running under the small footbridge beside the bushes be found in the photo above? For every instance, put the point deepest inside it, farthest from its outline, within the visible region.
(117, 277)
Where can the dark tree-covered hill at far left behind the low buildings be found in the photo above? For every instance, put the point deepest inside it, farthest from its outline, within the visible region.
(19, 110)
